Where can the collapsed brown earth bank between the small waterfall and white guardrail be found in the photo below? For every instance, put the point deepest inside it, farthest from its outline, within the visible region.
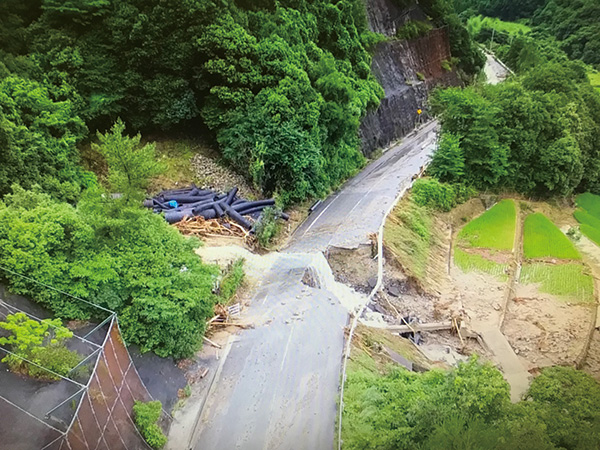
(354, 267)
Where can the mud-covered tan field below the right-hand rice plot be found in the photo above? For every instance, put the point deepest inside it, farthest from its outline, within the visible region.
(544, 330)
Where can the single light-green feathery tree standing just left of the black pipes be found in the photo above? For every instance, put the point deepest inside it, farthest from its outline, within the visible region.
(130, 165)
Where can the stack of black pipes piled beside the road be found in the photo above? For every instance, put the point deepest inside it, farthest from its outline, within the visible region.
(180, 203)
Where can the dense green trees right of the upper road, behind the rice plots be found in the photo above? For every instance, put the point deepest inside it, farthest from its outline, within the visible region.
(537, 133)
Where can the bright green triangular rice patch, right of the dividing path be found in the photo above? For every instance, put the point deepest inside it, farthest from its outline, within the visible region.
(541, 238)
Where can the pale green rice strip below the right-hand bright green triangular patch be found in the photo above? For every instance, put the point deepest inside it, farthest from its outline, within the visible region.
(569, 281)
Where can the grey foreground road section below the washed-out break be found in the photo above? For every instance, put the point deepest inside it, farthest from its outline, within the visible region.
(278, 386)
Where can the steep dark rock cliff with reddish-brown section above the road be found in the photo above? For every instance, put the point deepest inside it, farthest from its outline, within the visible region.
(407, 71)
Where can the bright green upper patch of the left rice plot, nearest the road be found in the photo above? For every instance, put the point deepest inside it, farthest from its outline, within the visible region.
(493, 229)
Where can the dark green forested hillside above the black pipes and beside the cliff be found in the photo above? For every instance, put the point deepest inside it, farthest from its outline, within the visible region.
(279, 86)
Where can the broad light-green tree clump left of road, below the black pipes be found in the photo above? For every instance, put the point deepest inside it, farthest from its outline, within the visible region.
(119, 257)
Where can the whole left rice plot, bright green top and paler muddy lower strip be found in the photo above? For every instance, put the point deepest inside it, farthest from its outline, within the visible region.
(485, 243)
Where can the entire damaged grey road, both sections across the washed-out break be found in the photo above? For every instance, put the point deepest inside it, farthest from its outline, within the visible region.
(278, 386)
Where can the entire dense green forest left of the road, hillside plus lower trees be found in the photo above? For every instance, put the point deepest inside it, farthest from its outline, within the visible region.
(279, 87)
